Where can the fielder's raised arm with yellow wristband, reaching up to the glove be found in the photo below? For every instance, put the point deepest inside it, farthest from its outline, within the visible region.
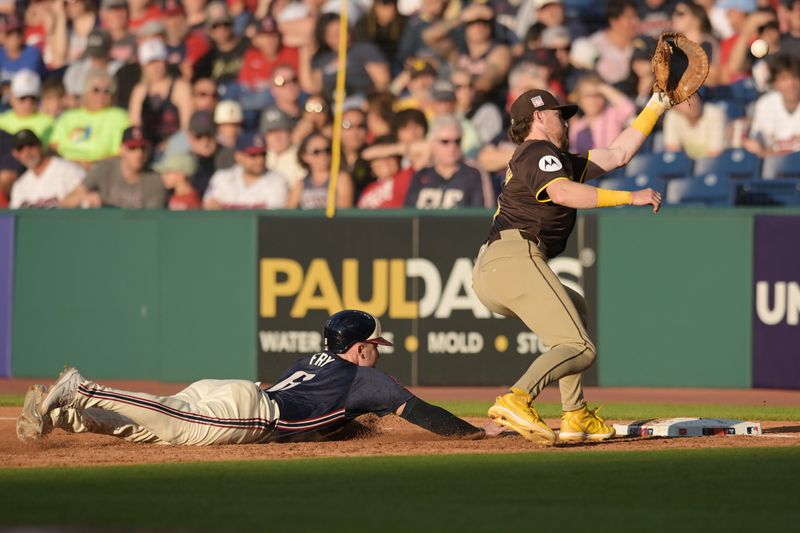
(627, 143)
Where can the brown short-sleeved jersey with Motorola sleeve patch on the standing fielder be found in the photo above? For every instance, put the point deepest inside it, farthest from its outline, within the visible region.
(523, 203)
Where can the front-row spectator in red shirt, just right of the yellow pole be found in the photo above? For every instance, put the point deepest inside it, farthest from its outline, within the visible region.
(391, 185)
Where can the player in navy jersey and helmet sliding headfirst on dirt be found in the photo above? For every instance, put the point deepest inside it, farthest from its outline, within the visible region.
(315, 398)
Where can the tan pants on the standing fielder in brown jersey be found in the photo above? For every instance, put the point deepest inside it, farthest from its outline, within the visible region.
(512, 278)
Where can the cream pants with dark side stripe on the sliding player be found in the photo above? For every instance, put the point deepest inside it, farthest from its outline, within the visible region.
(210, 411)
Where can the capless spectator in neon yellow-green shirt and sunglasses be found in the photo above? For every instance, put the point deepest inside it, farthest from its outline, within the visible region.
(92, 132)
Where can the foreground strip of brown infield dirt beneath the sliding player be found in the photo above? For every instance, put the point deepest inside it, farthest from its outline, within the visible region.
(388, 436)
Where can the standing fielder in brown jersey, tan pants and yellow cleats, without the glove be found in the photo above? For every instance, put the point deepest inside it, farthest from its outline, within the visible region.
(536, 212)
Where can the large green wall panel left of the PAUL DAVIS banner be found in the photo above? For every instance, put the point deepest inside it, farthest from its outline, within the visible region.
(150, 295)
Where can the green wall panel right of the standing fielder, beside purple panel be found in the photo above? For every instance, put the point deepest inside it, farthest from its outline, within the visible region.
(675, 298)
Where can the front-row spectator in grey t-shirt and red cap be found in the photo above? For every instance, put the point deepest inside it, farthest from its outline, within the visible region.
(121, 181)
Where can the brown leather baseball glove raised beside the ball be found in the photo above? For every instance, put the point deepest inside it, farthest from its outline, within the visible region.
(680, 67)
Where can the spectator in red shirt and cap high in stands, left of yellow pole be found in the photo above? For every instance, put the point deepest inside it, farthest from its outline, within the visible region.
(264, 55)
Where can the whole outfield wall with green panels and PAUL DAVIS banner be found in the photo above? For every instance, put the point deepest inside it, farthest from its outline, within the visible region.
(182, 296)
